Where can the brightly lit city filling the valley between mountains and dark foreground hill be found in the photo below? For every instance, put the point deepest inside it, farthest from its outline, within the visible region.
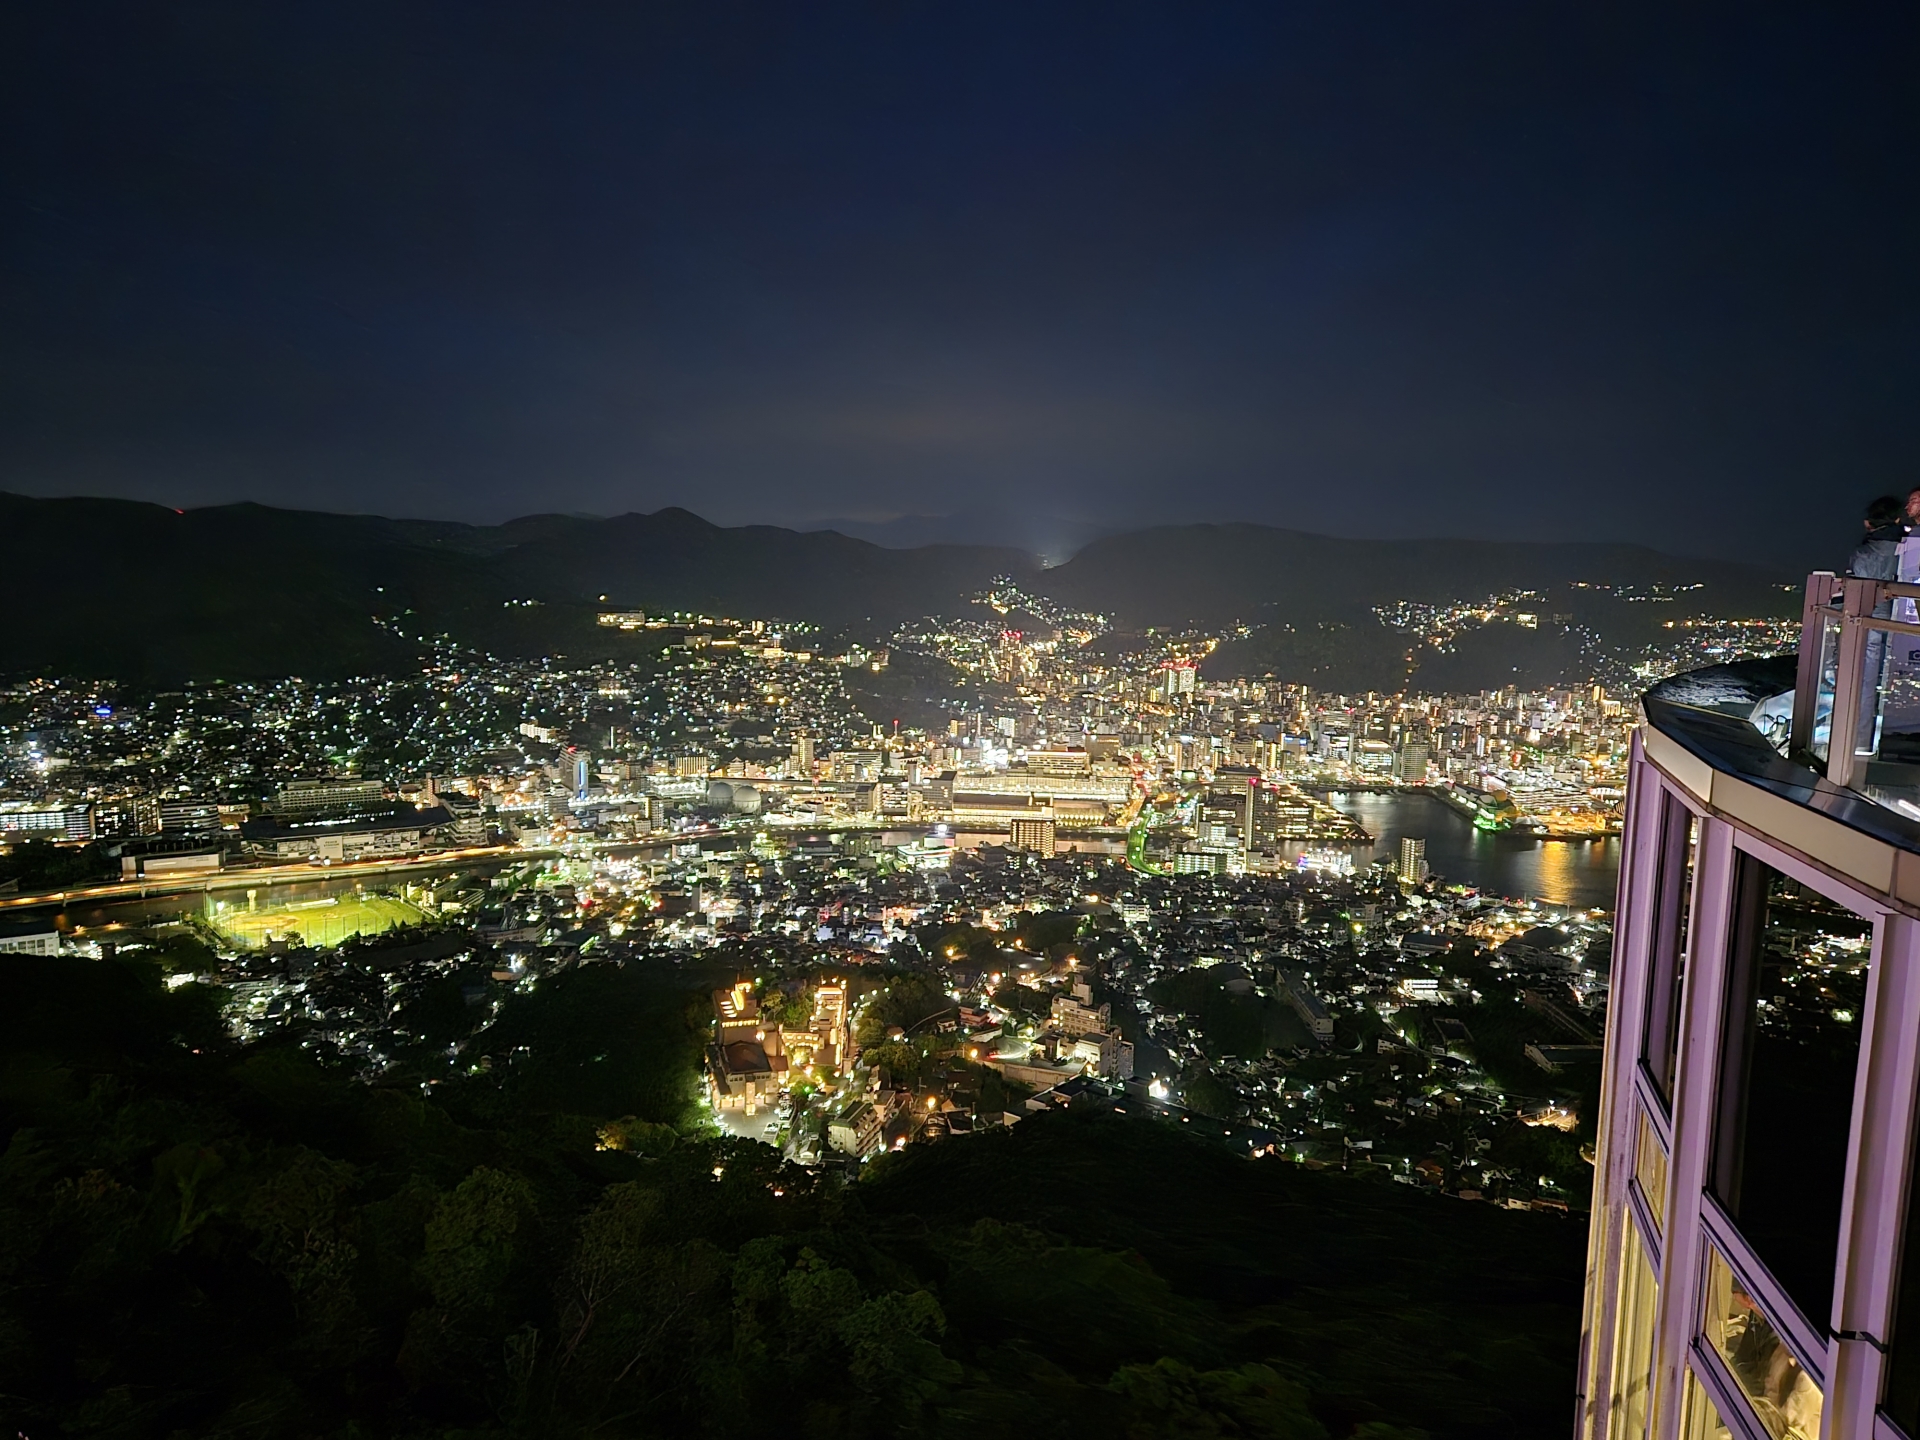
(1103, 867)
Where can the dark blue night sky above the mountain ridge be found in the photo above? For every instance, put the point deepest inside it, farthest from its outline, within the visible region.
(1502, 270)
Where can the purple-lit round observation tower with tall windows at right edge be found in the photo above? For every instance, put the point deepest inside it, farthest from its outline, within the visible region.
(1754, 1264)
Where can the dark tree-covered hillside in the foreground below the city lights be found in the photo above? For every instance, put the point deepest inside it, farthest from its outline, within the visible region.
(203, 1239)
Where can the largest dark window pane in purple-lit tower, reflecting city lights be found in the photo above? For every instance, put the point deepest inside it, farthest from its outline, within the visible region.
(1796, 996)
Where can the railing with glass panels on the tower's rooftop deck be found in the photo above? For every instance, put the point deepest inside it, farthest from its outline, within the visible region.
(1858, 690)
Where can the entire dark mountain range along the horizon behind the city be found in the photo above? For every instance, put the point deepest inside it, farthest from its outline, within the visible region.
(145, 592)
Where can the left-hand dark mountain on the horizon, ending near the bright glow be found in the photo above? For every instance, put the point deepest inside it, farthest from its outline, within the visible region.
(145, 592)
